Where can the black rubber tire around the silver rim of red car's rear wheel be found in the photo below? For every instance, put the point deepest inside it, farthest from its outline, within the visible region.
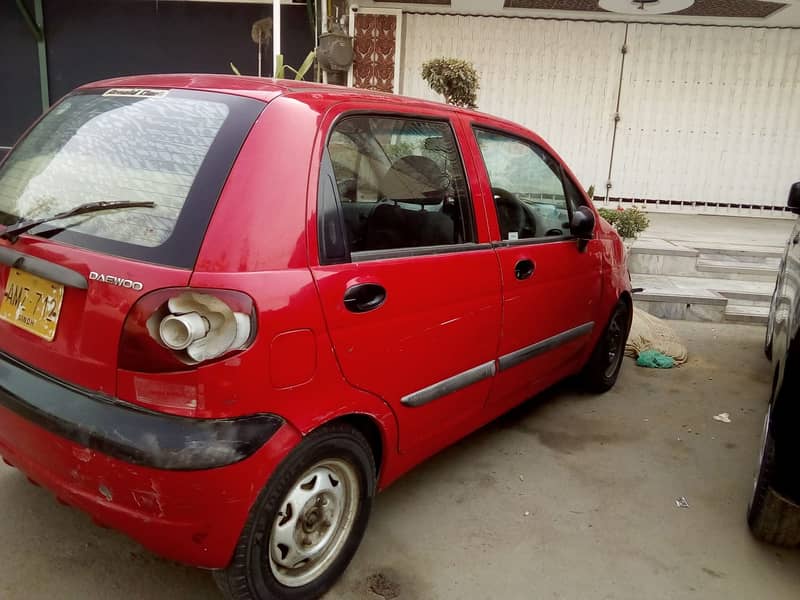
(251, 574)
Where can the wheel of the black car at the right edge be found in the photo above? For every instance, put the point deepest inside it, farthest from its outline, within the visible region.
(771, 517)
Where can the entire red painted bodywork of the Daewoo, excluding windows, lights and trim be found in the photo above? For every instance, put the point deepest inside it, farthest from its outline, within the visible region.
(312, 361)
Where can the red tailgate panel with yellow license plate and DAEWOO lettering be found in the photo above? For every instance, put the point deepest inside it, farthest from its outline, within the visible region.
(85, 324)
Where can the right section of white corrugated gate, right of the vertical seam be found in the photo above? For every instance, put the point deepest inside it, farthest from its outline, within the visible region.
(709, 113)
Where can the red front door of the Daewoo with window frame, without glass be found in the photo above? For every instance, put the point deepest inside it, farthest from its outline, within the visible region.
(563, 293)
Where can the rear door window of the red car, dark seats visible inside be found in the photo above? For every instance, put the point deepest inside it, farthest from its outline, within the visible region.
(401, 183)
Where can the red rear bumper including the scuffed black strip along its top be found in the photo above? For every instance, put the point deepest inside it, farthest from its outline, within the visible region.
(145, 474)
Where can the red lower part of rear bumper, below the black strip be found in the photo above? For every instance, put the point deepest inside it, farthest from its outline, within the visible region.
(171, 513)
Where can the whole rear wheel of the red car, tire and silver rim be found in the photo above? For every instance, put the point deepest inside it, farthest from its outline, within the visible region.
(308, 521)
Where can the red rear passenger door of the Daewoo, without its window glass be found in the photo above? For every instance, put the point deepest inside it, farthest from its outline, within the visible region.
(442, 305)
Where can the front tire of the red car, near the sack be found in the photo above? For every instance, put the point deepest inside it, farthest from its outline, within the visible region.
(602, 369)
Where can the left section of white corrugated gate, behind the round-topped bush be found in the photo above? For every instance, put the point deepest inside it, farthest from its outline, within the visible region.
(546, 75)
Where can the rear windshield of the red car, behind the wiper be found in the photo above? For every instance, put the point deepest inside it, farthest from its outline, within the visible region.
(170, 147)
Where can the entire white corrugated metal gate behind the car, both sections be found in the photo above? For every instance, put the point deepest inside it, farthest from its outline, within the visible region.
(708, 114)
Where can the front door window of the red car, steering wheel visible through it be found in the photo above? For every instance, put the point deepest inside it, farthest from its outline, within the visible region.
(527, 188)
